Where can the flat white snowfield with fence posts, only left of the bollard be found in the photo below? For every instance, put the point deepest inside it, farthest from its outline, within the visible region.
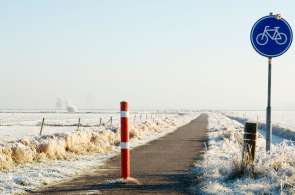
(16, 125)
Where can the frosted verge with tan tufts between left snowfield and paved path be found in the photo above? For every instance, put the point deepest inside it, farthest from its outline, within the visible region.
(35, 161)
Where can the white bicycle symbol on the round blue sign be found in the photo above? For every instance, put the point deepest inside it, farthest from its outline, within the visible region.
(273, 34)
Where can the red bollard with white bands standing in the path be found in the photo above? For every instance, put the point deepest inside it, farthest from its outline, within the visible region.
(125, 154)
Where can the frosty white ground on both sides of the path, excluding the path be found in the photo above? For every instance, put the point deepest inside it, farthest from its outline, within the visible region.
(29, 161)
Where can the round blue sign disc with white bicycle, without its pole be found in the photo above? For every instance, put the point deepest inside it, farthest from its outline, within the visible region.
(271, 36)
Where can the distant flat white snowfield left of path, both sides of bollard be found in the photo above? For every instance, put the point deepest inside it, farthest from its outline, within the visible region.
(17, 125)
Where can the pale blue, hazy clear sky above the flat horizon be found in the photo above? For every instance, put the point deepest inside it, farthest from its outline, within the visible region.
(156, 54)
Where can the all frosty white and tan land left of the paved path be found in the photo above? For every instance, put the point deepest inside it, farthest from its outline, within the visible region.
(29, 161)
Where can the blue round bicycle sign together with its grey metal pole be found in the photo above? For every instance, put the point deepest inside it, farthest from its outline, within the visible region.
(271, 36)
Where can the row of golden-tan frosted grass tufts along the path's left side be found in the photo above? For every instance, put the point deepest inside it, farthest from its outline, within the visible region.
(61, 146)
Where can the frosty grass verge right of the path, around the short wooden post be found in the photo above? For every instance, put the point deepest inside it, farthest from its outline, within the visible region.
(220, 169)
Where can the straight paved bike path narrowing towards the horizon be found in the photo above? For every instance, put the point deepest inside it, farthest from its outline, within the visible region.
(161, 166)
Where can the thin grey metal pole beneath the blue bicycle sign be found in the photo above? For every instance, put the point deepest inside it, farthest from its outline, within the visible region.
(268, 109)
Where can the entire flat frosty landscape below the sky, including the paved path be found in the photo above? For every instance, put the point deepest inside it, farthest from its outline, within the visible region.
(213, 168)
